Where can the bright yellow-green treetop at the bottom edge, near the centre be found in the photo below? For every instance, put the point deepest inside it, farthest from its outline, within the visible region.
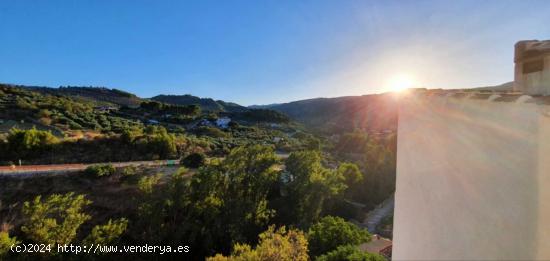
(273, 245)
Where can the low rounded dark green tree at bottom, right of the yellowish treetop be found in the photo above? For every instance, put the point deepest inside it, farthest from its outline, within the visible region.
(331, 232)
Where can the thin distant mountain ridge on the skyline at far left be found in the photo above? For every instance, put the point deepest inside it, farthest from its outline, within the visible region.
(98, 94)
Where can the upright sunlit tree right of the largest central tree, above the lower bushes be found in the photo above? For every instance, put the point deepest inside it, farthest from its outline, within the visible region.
(308, 185)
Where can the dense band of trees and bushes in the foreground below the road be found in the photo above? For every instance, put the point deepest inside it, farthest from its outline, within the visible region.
(225, 208)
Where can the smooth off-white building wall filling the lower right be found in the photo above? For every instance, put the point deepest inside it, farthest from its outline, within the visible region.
(473, 180)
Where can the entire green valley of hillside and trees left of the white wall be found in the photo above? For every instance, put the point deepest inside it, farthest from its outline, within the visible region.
(261, 187)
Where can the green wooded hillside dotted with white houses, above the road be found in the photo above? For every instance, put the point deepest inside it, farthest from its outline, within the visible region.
(44, 126)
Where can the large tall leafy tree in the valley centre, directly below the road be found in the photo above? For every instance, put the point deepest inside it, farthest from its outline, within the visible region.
(228, 201)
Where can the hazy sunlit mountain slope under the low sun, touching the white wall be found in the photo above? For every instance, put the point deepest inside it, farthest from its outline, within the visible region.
(376, 112)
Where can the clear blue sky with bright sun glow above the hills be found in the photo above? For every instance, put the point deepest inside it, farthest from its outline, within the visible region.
(262, 52)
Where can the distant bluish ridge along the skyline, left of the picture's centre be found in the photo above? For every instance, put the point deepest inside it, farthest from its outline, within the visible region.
(206, 104)
